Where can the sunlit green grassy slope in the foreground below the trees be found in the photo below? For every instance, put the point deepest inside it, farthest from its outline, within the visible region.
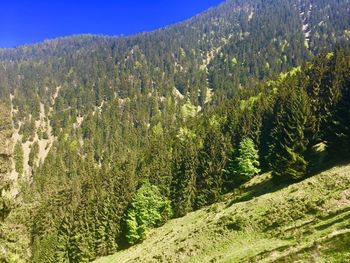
(304, 222)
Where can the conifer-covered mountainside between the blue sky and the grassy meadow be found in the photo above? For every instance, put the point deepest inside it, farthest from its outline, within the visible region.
(106, 127)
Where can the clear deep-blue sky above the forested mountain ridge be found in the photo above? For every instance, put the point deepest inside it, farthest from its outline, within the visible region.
(30, 21)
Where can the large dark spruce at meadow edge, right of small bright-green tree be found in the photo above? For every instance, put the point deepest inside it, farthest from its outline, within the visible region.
(291, 133)
